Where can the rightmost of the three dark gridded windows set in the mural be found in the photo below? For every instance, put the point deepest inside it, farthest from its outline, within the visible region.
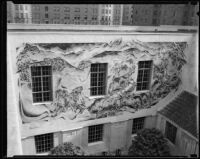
(144, 75)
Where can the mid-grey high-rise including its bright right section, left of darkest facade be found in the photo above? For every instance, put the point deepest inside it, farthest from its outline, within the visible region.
(77, 14)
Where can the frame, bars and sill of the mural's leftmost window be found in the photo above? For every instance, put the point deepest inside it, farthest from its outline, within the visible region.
(51, 85)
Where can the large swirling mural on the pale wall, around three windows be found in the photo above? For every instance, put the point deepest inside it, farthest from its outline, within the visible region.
(71, 77)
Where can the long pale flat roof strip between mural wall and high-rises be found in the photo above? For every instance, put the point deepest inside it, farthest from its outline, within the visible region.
(115, 28)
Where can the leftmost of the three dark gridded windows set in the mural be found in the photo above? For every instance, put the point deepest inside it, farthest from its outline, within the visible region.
(41, 83)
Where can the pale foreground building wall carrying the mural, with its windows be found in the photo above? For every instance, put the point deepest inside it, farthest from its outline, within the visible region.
(95, 89)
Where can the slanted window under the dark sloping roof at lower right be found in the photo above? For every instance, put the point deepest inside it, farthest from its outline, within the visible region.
(167, 130)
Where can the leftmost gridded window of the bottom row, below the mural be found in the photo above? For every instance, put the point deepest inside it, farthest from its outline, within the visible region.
(46, 144)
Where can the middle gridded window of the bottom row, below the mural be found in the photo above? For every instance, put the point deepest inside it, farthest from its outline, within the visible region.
(95, 133)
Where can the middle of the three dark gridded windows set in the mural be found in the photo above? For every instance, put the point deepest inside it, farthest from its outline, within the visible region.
(98, 79)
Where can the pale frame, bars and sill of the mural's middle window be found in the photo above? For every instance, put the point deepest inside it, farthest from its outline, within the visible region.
(104, 80)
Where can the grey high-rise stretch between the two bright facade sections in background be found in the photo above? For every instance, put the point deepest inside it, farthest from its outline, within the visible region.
(65, 14)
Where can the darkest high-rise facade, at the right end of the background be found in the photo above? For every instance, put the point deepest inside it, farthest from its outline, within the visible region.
(168, 14)
